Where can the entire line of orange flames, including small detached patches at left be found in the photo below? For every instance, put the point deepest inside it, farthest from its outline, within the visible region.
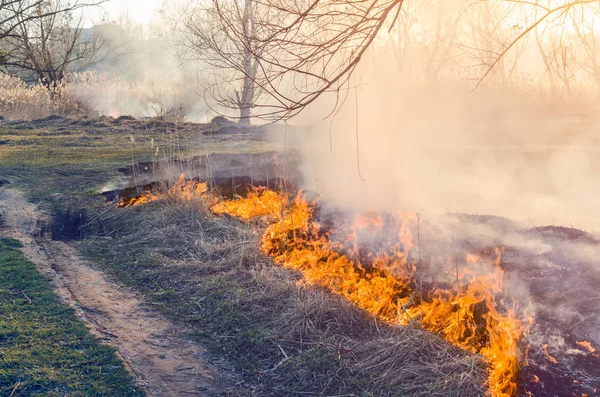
(383, 279)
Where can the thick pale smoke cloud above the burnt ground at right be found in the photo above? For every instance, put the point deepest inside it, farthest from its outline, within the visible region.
(439, 147)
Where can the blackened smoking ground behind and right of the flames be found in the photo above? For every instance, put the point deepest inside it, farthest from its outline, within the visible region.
(552, 271)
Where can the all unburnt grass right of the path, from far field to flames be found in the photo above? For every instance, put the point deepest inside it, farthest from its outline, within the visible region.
(207, 274)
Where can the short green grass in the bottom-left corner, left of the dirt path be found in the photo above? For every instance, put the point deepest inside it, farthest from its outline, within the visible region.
(44, 349)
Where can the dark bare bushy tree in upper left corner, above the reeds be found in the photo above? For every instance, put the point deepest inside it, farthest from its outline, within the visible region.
(41, 39)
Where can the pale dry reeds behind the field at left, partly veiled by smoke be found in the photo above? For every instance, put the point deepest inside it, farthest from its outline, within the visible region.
(93, 94)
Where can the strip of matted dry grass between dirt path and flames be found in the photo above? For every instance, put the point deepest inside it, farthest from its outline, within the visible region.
(288, 339)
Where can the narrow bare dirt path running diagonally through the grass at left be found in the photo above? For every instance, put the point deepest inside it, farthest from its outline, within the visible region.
(164, 363)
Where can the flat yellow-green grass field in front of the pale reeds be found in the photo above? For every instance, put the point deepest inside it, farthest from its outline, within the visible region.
(62, 163)
